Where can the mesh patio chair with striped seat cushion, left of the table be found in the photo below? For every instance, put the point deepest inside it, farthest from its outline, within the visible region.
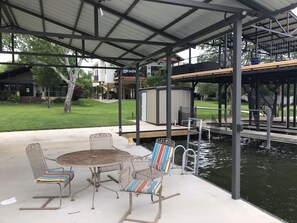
(44, 175)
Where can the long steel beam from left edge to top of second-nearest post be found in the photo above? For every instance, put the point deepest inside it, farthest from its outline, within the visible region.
(83, 37)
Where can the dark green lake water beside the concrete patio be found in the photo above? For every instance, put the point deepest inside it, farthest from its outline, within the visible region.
(268, 177)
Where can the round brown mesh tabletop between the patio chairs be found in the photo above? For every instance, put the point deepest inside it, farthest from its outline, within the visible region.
(91, 158)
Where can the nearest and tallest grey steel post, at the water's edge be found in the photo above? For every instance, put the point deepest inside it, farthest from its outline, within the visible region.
(236, 104)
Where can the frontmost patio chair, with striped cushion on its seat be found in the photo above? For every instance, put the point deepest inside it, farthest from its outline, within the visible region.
(128, 183)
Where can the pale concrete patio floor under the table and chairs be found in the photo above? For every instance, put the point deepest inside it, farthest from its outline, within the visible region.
(199, 201)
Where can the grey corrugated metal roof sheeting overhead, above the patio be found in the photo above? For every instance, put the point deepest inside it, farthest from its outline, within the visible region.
(127, 28)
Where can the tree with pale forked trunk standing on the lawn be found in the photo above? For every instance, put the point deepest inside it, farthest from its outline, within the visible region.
(27, 43)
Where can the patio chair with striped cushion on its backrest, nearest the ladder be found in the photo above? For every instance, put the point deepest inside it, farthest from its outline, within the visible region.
(160, 163)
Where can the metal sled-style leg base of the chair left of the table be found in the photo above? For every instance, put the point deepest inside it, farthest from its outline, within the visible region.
(49, 199)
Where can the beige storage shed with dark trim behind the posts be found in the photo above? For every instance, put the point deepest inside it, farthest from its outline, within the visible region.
(153, 103)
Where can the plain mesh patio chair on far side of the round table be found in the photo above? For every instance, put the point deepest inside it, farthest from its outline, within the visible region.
(103, 141)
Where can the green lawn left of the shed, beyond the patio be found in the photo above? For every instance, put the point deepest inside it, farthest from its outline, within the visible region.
(86, 113)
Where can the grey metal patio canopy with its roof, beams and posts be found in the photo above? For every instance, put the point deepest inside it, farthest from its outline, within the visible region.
(131, 33)
